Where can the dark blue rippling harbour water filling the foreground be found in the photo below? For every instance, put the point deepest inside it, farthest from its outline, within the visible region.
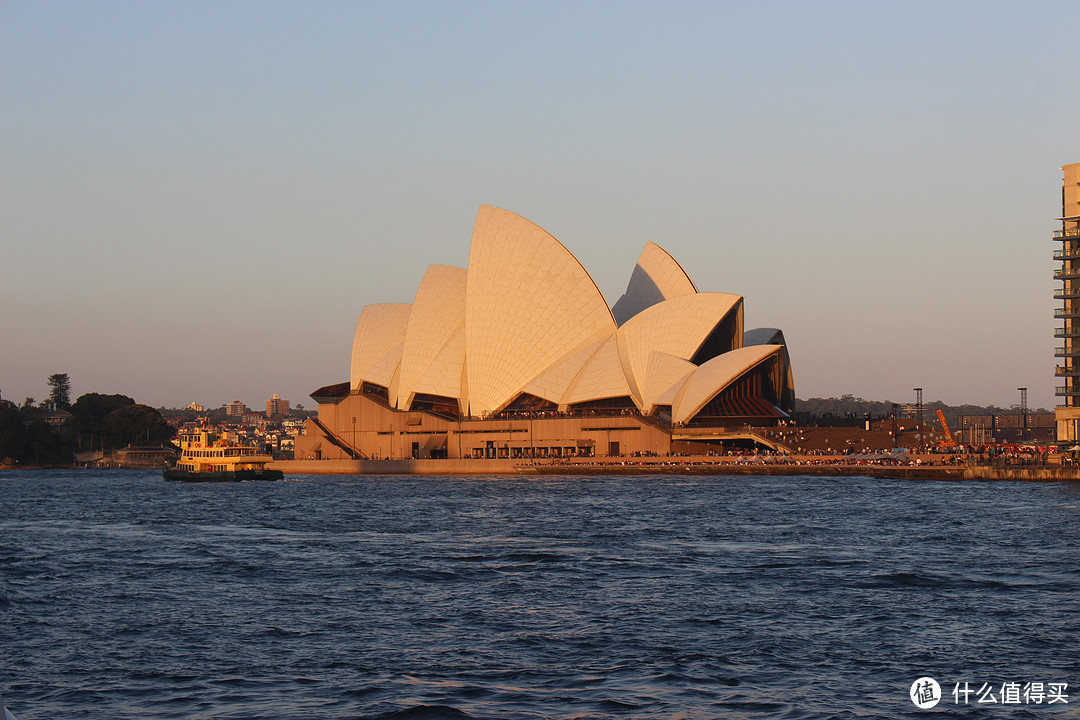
(125, 596)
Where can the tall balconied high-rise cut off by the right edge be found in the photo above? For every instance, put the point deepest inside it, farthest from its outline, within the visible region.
(1069, 333)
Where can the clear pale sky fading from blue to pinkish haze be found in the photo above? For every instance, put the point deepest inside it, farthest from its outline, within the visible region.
(198, 199)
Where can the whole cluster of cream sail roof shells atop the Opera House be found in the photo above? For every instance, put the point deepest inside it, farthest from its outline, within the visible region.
(528, 318)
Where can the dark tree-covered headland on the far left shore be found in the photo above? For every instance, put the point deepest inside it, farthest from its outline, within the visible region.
(42, 436)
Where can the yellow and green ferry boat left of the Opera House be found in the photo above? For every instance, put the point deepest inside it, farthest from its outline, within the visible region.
(207, 458)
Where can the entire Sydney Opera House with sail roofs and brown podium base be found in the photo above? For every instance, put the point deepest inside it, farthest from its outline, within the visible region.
(519, 356)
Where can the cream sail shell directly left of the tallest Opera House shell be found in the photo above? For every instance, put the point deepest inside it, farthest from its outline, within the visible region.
(431, 361)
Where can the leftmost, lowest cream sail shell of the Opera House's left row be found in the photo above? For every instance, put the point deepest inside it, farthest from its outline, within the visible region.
(377, 344)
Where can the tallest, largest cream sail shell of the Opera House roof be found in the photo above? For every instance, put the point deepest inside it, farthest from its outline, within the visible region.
(528, 302)
